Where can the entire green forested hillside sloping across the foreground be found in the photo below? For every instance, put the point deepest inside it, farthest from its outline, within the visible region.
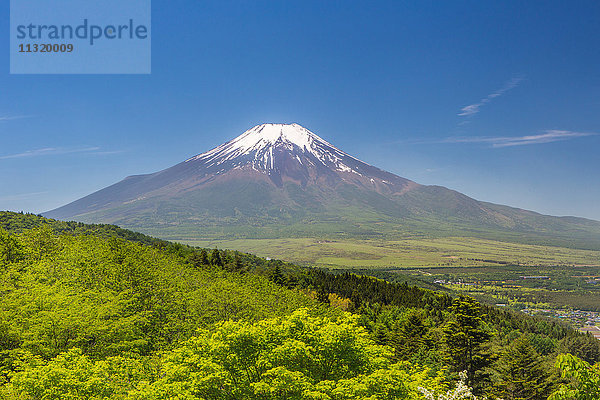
(99, 312)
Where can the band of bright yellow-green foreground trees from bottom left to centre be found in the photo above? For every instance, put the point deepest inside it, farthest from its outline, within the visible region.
(297, 357)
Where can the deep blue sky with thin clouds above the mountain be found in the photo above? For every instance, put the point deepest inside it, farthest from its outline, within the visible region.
(498, 100)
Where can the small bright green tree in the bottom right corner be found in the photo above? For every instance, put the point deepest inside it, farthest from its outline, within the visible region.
(584, 379)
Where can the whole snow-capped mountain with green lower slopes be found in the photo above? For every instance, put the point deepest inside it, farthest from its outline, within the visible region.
(279, 180)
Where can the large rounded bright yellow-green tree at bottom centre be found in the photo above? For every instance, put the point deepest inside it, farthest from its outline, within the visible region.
(298, 357)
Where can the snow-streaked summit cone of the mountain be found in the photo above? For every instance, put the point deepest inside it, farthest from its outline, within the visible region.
(289, 152)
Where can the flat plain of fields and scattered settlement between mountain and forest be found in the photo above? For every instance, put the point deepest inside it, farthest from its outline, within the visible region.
(490, 270)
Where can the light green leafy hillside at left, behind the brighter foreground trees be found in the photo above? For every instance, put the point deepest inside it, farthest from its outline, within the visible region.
(109, 296)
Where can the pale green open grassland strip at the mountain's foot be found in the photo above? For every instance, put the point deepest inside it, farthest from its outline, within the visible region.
(408, 253)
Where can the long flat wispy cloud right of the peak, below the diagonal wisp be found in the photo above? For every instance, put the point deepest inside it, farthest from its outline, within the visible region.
(509, 141)
